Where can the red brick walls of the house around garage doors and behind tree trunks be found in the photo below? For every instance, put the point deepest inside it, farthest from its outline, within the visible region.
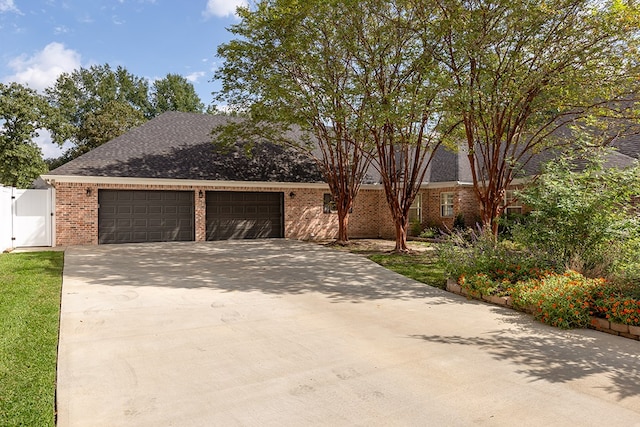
(77, 211)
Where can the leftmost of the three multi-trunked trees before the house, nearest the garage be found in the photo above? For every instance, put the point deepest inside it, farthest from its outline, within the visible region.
(291, 72)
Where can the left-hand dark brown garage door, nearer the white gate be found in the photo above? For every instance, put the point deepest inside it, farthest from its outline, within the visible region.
(132, 216)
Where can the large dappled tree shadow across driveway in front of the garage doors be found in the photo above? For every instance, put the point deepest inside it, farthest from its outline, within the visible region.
(269, 266)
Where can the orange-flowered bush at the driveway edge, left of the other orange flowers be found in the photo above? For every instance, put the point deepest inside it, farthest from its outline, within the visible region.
(562, 300)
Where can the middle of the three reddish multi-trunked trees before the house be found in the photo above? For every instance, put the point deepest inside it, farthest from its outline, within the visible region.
(403, 89)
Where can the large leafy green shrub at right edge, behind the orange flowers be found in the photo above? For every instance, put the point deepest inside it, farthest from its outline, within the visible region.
(582, 218)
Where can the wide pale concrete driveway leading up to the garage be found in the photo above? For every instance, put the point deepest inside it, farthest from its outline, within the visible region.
(283, 333)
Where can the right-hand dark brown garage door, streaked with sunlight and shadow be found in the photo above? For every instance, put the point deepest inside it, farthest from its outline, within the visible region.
(244, 215)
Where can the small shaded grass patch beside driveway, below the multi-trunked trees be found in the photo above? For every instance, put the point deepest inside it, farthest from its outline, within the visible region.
(422, 267)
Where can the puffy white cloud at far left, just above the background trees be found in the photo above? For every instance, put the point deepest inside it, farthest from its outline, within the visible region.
(43, 68)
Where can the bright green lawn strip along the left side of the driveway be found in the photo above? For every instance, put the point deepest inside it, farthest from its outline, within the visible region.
(30, 285)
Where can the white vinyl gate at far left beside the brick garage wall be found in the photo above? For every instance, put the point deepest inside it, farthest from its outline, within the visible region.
(26, 218)
